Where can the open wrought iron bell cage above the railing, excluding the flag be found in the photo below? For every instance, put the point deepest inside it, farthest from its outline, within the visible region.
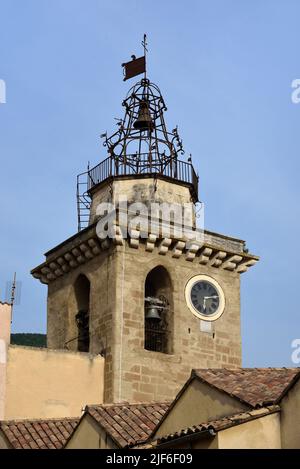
(142, 143)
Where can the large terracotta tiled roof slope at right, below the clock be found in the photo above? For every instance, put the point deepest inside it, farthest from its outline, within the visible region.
(254, 386)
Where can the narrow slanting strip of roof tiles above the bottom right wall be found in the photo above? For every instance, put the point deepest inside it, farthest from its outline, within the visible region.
(214, 426)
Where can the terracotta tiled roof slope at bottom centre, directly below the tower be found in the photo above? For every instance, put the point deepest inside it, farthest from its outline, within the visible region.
(128, 424)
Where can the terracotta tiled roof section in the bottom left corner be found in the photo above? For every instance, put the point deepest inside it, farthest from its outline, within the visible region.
(38, 434)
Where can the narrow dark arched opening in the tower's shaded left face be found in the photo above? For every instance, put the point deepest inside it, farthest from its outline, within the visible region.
(82, 316)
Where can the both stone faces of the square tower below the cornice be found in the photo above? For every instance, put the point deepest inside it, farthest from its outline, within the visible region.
(117, 278)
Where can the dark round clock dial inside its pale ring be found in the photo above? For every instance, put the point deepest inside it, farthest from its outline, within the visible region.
(205, 297)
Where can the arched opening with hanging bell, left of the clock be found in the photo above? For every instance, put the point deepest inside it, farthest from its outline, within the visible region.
(158, 312)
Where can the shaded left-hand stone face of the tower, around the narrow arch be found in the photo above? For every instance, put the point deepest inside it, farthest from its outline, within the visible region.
(61, 327)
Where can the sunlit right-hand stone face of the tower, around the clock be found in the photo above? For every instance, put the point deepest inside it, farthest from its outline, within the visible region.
(142, 375)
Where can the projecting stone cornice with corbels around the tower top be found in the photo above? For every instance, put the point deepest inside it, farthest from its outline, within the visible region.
(216, 251)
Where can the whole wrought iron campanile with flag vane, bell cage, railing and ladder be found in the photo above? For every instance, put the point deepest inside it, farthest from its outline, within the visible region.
(140, 147)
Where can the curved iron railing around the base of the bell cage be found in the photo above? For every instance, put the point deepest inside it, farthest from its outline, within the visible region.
(174, 169)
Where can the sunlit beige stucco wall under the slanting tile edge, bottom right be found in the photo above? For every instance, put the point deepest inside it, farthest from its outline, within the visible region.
(261, 433)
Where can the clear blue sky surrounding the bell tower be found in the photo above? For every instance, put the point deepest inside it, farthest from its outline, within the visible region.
(225, 69)
